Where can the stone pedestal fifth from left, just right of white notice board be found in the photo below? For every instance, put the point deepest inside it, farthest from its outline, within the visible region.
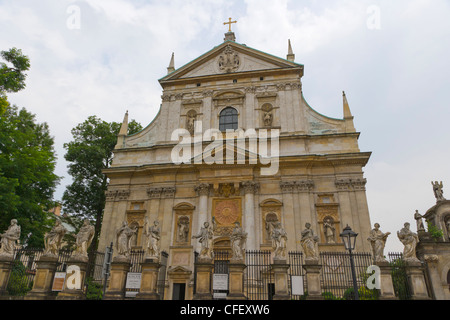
(149, 281)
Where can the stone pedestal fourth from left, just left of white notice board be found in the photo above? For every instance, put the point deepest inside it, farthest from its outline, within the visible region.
(118, 277)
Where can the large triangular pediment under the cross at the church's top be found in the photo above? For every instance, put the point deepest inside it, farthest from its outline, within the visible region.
(229, 58)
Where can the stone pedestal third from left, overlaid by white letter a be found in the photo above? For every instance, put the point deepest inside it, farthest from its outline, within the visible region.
(71, 292)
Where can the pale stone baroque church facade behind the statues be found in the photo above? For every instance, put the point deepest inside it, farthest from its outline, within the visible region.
(286, 163)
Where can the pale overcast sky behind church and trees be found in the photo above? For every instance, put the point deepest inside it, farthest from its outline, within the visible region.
(392, 58)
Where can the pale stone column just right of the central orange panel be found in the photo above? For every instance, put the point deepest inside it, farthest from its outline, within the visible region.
(250, 188)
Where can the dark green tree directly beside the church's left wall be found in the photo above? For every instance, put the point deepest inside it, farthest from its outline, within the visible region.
(91, 151)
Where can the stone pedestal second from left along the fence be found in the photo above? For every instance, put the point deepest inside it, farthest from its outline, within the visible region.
(43, 280)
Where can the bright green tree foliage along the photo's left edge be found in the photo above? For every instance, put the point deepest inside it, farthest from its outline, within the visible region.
(27, 157)
